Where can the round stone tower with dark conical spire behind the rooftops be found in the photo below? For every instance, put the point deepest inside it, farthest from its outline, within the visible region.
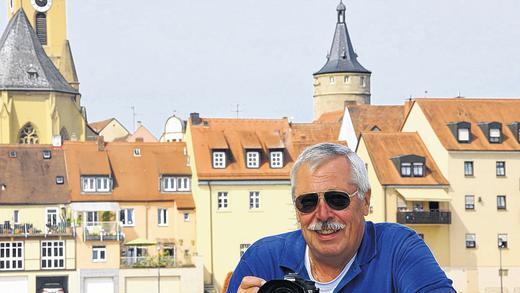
(342, 79)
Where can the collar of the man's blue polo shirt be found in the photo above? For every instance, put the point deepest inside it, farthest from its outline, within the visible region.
(293, 253)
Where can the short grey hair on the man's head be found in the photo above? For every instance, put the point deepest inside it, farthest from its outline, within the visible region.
(318, 154)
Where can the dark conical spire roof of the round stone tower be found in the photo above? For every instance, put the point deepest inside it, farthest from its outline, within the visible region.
(342, 57)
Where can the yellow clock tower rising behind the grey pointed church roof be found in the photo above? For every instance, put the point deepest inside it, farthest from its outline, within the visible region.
(49, 20)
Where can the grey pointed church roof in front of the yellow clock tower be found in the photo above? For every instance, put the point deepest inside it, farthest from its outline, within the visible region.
(24, 65)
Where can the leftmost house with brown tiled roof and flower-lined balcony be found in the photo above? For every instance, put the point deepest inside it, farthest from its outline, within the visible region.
(37, 236)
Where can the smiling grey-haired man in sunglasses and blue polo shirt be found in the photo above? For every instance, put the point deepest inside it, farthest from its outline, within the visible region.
(335, 247)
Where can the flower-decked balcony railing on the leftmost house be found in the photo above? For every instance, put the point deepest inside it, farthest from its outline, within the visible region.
(28, 230)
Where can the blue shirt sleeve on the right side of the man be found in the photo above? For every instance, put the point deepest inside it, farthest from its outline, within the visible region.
(417, 270)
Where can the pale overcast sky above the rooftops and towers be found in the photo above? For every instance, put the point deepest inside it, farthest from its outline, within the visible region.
(207, 56)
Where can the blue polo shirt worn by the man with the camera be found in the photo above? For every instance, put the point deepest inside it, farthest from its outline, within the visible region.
(391, 258)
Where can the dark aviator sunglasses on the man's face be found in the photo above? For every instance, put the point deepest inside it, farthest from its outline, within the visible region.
(336, 200)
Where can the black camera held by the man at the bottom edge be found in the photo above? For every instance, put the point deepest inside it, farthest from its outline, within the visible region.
(291, 283)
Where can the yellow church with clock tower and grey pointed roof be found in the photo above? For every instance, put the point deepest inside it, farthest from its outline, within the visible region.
(39, 98)
